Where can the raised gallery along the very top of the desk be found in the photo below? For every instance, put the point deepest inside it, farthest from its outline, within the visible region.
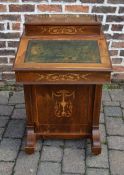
(56, 19)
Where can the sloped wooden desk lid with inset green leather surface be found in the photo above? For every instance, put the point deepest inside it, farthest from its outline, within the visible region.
(63, 53)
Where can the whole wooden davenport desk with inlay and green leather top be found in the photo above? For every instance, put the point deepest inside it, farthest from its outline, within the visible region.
(62, 62)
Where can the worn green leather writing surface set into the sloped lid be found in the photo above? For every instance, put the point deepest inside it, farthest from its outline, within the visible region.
(62, 51)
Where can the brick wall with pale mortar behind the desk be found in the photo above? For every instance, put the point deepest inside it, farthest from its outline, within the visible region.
(14, 12)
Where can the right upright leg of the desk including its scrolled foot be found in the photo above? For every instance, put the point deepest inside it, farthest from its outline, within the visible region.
(96, 145)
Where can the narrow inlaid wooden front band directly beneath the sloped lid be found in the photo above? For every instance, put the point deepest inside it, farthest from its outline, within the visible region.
(30, 77)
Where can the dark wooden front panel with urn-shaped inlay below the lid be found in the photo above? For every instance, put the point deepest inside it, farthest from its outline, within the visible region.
(64, 109)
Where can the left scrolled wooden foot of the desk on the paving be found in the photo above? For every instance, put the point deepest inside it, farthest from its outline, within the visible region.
(31, 140)
